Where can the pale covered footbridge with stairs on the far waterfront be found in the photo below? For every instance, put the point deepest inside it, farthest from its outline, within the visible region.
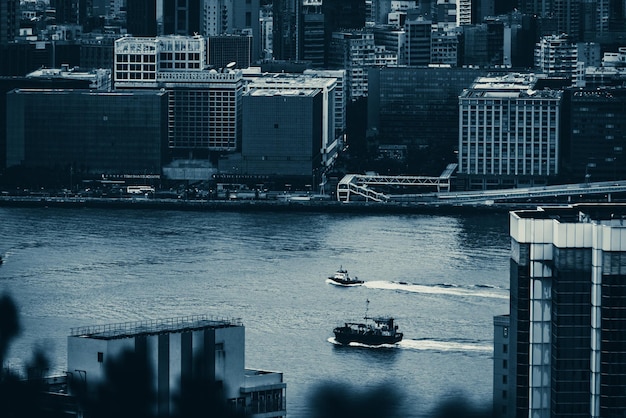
(360, 186)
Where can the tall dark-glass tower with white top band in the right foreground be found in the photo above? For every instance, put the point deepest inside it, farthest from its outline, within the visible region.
(567, 322)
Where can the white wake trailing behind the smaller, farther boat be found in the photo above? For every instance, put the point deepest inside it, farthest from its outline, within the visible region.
(441, 289)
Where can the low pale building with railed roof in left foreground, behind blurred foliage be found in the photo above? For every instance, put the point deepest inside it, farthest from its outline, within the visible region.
(177, 349)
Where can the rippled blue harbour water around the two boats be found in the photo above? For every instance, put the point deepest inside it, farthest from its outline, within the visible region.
(76, 267)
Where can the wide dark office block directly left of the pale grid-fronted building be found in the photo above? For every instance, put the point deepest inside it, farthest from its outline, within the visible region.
(413, 106)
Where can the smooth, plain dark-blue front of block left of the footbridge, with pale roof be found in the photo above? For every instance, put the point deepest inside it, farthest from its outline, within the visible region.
(282, 135)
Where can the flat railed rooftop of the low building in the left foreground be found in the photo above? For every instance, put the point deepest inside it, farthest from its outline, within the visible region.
(151, 327)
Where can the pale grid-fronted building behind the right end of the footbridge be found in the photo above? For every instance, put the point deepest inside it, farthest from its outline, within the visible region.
(509, 132)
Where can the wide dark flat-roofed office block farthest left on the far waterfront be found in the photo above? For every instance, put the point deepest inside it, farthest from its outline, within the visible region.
(86, 133)
